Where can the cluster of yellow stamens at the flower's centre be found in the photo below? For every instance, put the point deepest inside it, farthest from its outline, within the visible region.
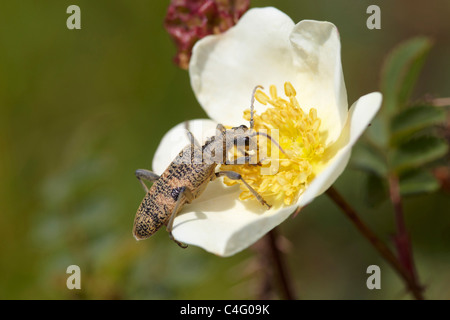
(299, 136)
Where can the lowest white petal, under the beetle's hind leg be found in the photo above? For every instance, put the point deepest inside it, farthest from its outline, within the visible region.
(222, 224)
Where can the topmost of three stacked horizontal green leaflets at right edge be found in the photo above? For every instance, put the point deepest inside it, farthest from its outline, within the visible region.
(413, 119)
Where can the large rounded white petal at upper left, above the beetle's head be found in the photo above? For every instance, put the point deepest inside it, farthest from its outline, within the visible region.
(225, 68)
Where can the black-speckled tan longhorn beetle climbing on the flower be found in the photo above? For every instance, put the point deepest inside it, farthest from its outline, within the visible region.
(188, 175)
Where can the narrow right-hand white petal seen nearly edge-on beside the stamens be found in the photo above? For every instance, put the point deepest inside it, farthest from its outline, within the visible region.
(359, 117)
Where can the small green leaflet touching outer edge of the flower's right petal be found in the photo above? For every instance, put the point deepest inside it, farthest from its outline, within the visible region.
(367, 158)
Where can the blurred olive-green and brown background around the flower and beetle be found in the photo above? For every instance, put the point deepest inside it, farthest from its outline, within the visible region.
(80, 110)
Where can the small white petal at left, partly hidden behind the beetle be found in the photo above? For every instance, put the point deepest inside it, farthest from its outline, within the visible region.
(176, 139)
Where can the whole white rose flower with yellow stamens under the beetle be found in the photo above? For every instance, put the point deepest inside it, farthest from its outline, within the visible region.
(316, 129)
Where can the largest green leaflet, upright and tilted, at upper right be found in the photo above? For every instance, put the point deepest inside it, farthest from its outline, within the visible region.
(401, 70)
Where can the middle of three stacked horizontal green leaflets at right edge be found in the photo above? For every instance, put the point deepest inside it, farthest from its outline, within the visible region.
(417, 152)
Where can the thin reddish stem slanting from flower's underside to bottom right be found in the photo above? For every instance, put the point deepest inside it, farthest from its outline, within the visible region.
(379, 245)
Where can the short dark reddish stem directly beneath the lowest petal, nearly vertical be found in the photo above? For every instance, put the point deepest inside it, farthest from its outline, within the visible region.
(279, 266)
